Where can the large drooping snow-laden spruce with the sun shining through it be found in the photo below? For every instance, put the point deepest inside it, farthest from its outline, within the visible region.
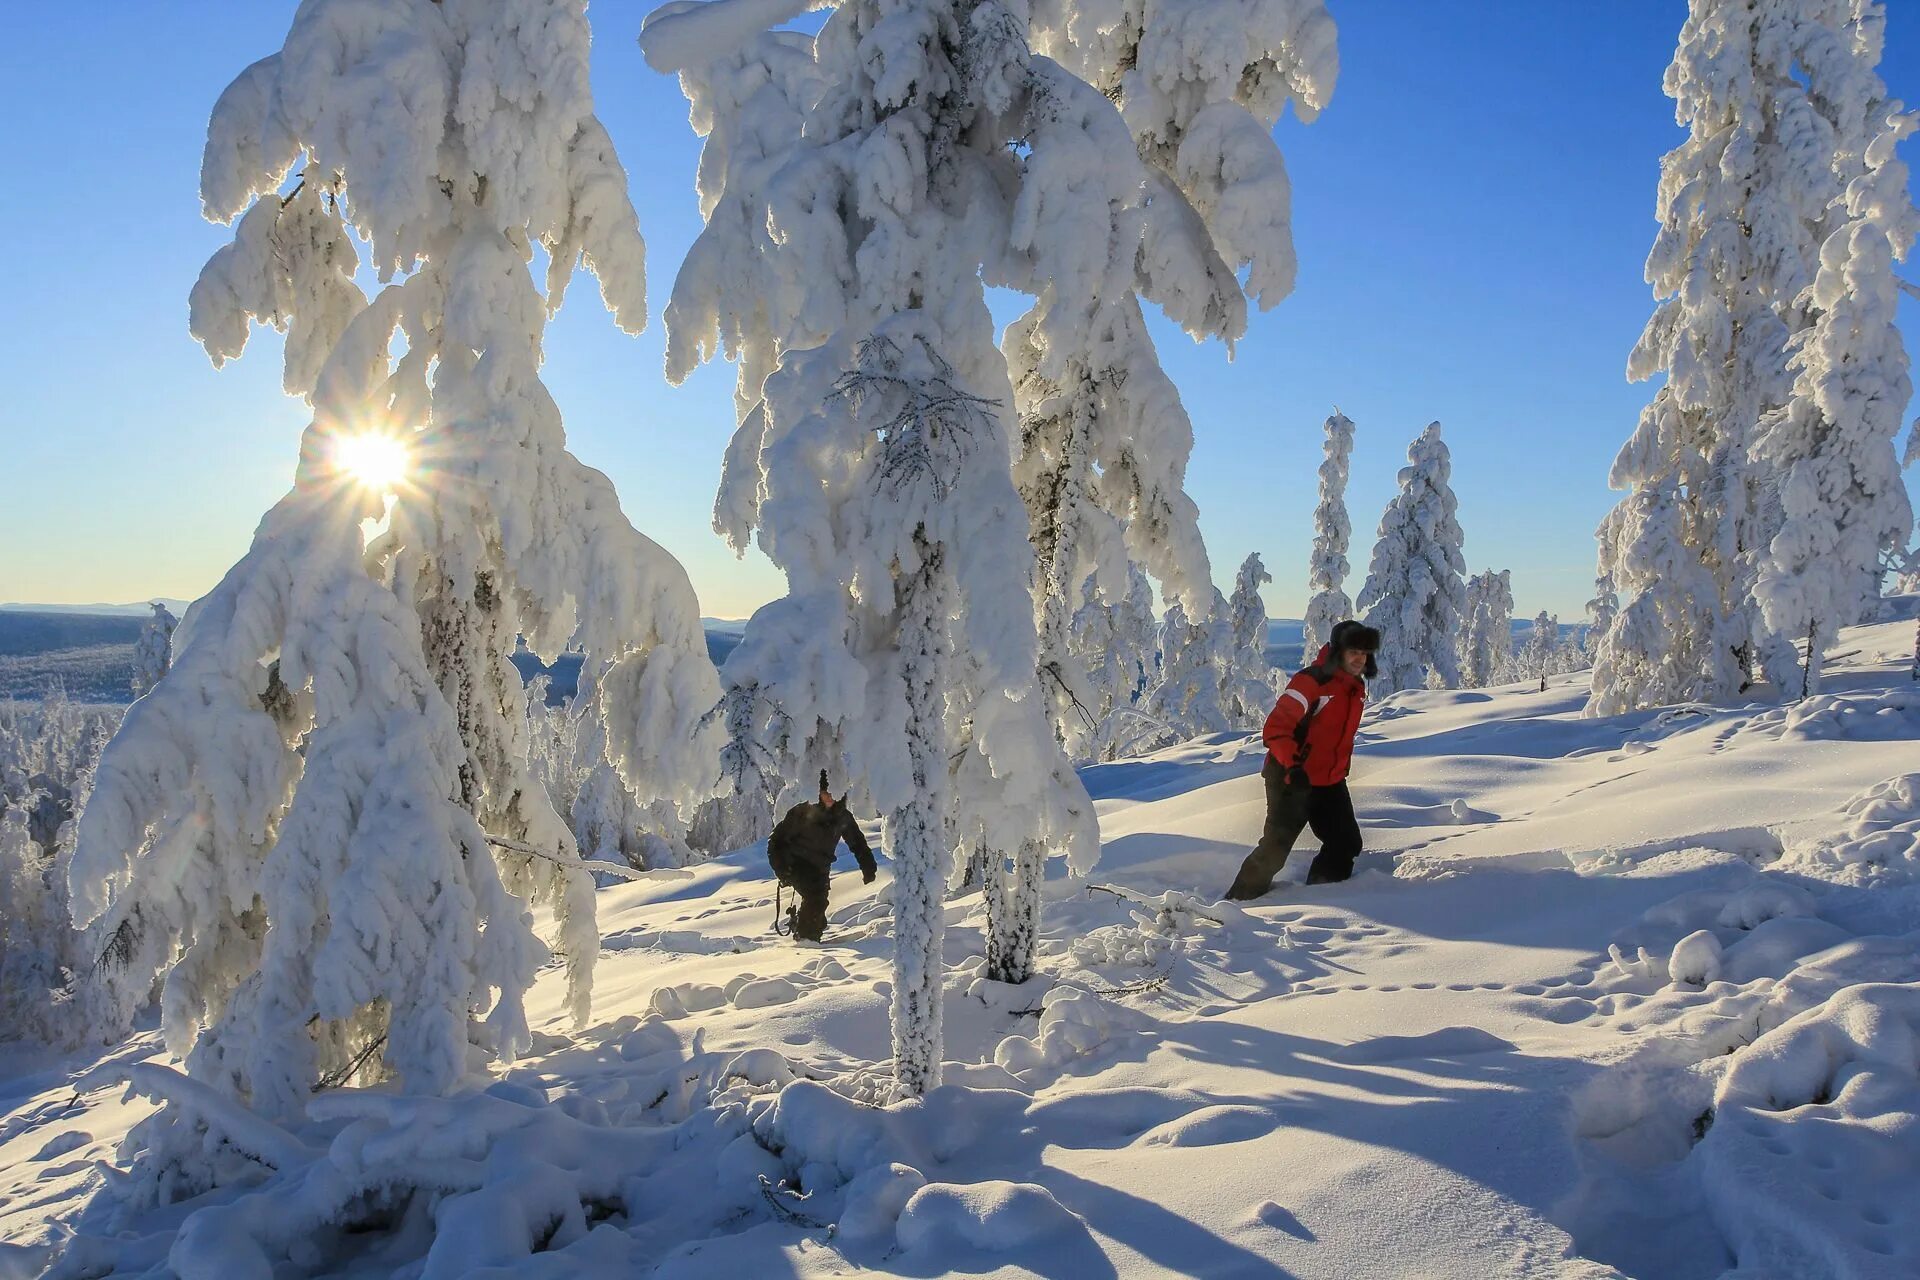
(302, 824)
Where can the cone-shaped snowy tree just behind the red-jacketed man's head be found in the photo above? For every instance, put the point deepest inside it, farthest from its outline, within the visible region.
(1418, 579)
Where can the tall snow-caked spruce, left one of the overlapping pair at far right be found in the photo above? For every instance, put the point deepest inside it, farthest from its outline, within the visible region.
(1744, 204)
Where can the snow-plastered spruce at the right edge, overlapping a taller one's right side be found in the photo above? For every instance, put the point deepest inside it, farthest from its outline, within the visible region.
(1844, 504)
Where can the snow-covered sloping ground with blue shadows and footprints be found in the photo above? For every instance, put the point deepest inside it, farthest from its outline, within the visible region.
(1608, 997)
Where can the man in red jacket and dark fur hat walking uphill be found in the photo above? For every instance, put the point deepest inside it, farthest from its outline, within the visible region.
(1310, 746)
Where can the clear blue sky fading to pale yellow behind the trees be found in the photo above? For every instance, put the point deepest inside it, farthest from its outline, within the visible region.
(1472, 216)
